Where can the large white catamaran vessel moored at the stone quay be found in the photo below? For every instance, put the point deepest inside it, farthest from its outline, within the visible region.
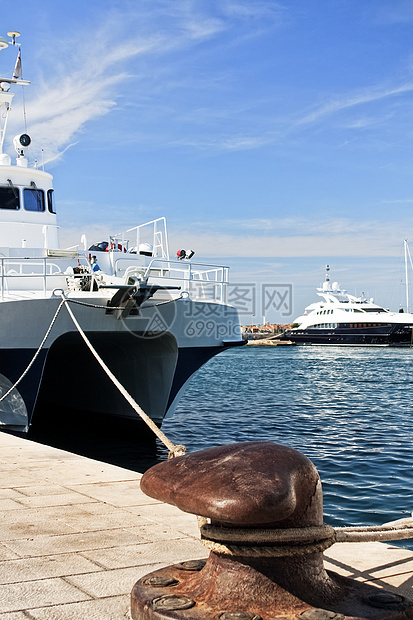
(153, 319)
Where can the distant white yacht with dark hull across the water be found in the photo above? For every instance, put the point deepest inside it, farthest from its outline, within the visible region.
(344, 319)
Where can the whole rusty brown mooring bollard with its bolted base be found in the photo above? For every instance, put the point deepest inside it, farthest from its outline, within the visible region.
(266, 535)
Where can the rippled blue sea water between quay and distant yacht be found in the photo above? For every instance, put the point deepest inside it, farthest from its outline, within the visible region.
(348, 409)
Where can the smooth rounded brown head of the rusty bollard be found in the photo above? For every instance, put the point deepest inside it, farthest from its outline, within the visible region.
(256, 484)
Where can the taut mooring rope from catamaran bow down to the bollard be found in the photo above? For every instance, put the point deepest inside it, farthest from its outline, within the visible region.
(174, 450)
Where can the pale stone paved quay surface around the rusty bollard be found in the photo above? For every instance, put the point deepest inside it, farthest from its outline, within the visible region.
(75, 535)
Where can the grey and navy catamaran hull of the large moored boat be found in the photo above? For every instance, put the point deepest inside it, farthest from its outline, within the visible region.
(153, 365)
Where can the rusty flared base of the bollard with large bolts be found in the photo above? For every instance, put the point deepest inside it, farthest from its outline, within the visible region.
(224, 589)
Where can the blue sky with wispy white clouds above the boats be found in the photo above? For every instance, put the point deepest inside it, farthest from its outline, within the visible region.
(274, 136)
